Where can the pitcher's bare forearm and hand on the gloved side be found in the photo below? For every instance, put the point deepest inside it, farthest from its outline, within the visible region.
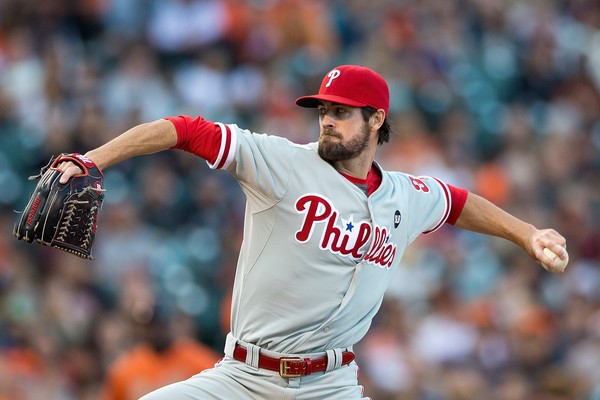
(146, 138)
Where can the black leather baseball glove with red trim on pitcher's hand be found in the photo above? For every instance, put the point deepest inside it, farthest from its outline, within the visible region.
(64, 215)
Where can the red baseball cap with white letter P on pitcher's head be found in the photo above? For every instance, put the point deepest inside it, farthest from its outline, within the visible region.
(352, 85)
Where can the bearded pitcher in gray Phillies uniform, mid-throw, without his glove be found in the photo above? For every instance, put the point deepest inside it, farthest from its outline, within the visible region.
(325, 229)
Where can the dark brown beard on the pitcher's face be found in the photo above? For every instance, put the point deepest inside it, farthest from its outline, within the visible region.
(333, 150)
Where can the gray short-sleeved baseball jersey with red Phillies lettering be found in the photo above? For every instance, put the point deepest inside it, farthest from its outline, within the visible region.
(317, 253)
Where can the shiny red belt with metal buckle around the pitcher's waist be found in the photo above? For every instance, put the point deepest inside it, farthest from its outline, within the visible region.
(291, 367)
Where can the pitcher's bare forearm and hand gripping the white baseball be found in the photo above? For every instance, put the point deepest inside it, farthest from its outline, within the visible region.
(480, 215)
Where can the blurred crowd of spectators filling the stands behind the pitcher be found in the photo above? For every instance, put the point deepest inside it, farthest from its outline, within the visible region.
(499, 97)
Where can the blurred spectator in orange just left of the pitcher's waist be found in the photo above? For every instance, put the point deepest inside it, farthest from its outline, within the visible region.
(163, 349)
